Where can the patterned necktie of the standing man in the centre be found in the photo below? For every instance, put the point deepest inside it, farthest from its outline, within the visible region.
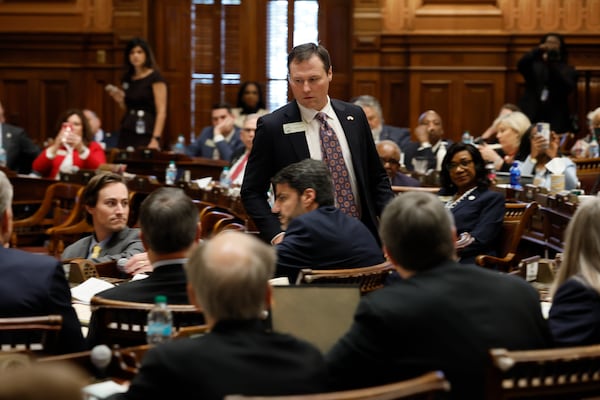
(333, 158)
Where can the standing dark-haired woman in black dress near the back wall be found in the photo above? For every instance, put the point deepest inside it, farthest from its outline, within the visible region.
(143, 96)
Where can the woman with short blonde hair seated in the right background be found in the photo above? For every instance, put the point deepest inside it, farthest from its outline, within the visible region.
(513, 136)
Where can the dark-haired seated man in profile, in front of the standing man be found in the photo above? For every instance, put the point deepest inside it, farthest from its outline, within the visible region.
(317, 234)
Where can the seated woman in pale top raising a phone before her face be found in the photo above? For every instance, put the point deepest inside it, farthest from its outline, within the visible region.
(542, 152)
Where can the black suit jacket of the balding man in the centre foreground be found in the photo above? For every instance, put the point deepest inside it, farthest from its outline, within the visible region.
(236, 357)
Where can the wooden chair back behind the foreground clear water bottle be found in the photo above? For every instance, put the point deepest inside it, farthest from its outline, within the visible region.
(124, 322)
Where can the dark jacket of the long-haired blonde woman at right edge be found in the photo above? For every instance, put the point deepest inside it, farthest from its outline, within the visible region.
(574, 318)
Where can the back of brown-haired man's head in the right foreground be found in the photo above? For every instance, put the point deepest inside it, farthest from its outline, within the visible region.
(416, 230)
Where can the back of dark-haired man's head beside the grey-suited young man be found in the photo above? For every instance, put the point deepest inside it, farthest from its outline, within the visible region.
(168, 220)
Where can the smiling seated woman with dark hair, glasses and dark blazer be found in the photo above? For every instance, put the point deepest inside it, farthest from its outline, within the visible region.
(478, 212)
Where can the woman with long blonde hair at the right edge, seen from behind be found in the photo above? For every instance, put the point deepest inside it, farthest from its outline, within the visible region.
(574, 317)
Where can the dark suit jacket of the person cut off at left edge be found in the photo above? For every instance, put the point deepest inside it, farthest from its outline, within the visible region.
(34, 285)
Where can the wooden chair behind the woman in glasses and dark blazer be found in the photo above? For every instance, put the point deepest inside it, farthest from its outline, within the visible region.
(517, 219)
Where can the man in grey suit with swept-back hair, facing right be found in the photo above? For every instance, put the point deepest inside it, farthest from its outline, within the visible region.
(106, 202)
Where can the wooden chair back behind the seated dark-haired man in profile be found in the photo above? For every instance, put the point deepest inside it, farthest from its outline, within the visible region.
(368, 278)
